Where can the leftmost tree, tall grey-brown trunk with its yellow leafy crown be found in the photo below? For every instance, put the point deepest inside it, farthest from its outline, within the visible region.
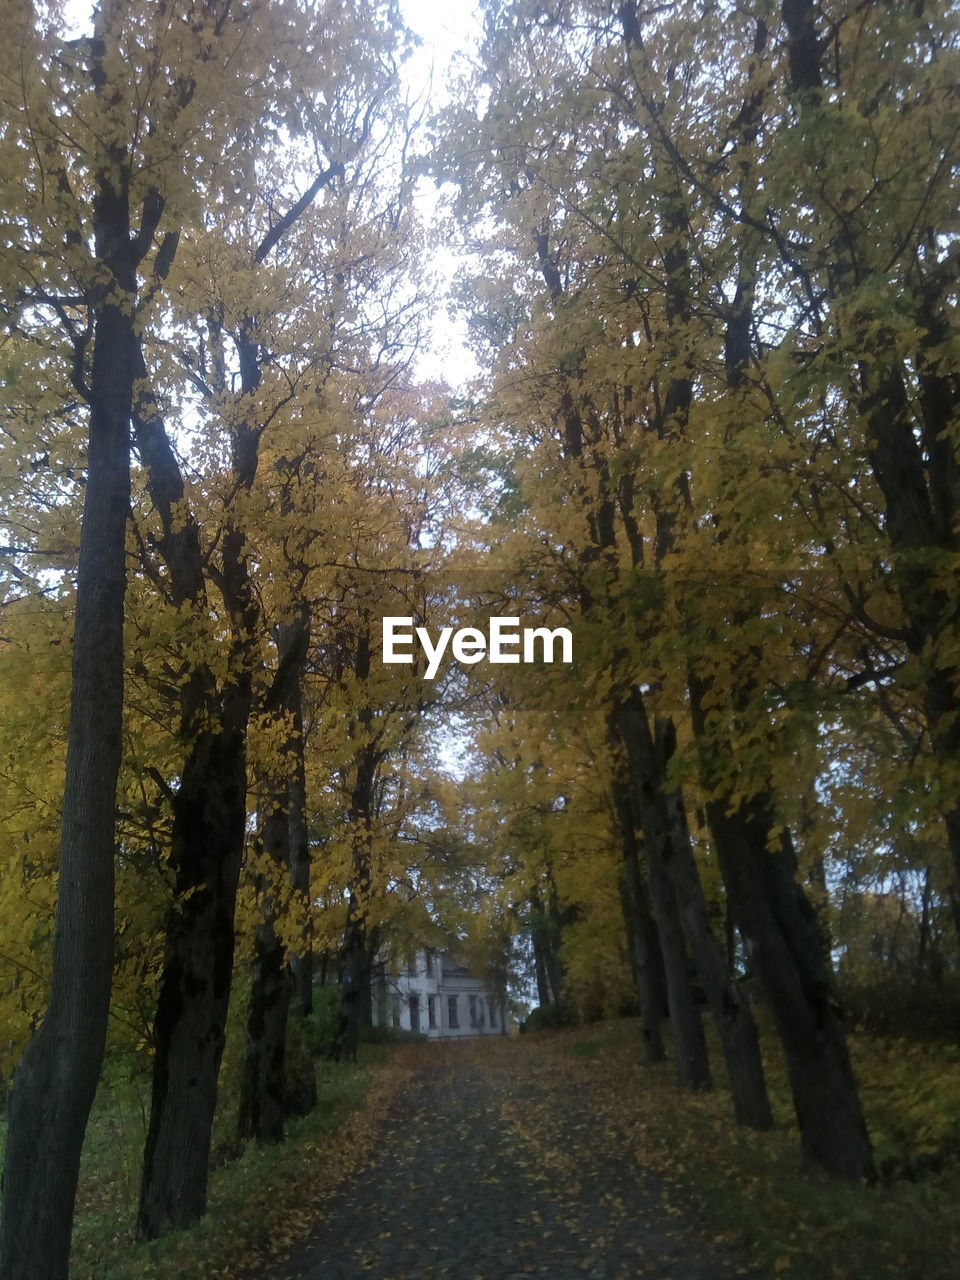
(97, 240)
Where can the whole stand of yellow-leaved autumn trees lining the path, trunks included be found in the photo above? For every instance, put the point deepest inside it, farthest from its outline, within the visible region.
(707, 264)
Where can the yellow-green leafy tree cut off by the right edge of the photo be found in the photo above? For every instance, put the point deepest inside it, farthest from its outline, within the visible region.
(888, 299)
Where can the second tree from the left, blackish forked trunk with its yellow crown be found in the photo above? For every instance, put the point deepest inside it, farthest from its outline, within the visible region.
(246, 319)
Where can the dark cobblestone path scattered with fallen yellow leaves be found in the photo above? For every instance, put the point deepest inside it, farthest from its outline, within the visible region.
(495, 1167)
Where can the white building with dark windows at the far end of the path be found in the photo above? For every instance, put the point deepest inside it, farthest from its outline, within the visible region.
(440, 998)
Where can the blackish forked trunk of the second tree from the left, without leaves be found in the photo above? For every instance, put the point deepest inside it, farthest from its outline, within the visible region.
(209, 825)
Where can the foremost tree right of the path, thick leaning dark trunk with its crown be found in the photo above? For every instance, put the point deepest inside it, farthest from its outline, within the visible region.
(648, 392)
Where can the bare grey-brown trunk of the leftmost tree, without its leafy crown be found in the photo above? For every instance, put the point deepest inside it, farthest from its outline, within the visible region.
(57, 1078)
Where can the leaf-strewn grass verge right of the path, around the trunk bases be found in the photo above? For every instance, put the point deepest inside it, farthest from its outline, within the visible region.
(748, 1187)
